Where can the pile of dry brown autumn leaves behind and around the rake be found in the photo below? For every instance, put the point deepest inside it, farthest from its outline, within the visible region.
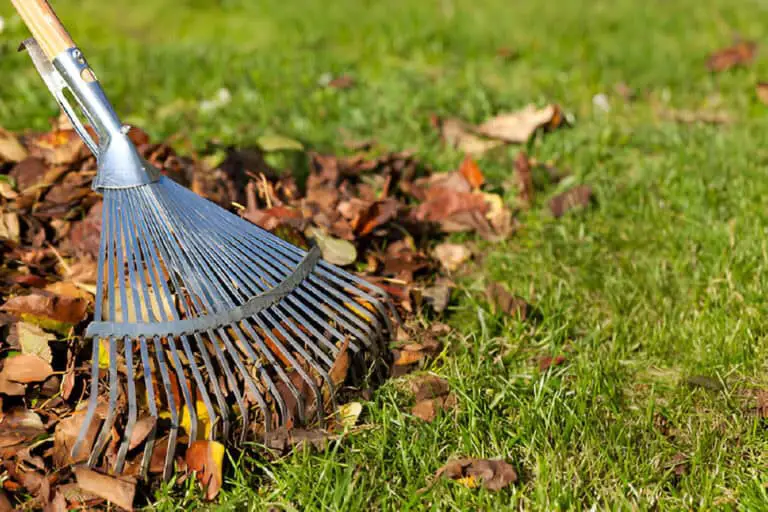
(382, 215)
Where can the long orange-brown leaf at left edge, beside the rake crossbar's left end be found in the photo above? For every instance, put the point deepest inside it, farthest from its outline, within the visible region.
(46, 305)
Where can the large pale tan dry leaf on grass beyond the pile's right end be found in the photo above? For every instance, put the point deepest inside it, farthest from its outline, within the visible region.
(517, 127)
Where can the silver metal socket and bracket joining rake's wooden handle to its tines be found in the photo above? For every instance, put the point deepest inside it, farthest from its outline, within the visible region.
(119, 163)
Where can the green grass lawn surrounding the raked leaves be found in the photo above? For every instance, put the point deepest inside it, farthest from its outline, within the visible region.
(665, 279)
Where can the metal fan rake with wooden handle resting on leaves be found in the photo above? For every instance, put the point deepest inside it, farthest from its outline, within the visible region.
(199, 314)
